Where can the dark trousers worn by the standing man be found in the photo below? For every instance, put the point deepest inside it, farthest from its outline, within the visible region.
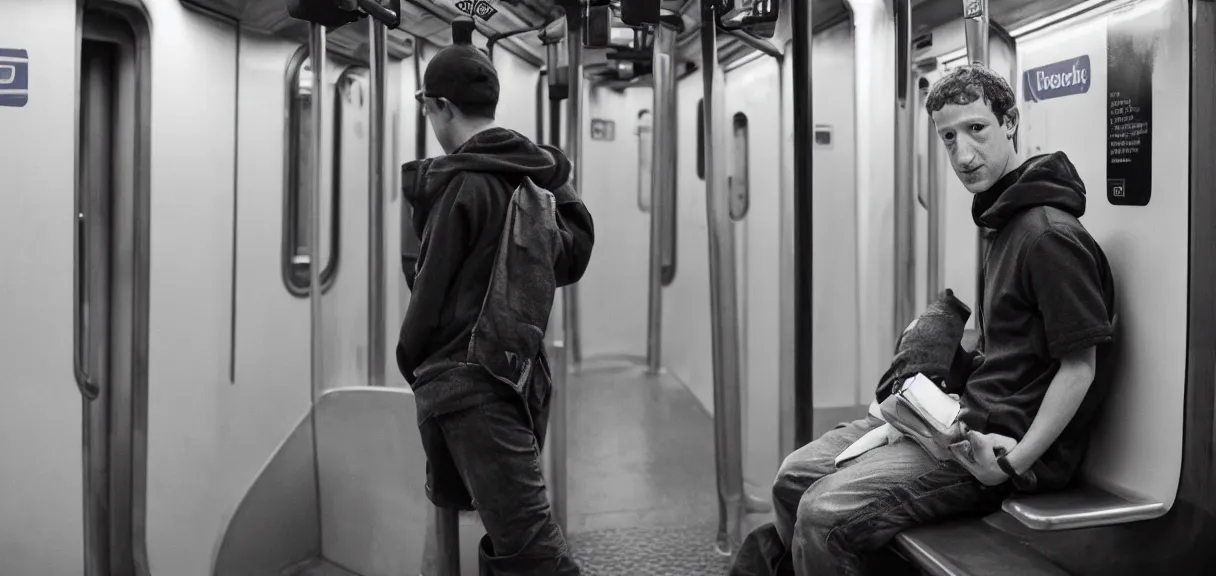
(499, 459)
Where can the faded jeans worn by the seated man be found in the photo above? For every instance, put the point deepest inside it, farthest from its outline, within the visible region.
(831, 518)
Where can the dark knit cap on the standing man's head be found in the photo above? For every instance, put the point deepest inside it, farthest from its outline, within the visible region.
(463, 75)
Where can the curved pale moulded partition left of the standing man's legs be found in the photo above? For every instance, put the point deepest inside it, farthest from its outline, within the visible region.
(371, 502)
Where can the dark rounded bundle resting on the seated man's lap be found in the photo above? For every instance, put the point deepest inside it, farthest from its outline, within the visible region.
(931, 347)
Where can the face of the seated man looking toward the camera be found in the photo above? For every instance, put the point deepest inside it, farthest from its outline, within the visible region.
(978, 144)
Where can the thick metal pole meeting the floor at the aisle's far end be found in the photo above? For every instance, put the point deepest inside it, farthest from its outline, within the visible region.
(662, 179)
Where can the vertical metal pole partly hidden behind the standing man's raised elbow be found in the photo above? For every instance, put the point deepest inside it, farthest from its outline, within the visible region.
(575, 151)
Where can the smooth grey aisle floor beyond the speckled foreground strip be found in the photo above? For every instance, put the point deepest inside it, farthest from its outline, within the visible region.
(641, 453)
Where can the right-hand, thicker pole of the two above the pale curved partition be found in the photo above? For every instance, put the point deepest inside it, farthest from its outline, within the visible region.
(376, 349)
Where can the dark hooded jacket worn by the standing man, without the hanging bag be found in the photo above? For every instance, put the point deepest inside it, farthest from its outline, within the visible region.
(461, 205)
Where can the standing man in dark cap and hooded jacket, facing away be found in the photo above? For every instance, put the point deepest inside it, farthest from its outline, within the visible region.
(502, 230)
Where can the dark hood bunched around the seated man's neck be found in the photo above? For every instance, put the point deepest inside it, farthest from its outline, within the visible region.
(1046, 180)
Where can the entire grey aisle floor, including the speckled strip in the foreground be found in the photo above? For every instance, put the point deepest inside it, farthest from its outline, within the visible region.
(643, 495)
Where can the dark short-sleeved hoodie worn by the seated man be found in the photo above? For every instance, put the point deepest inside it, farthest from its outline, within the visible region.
(1049, 292)
